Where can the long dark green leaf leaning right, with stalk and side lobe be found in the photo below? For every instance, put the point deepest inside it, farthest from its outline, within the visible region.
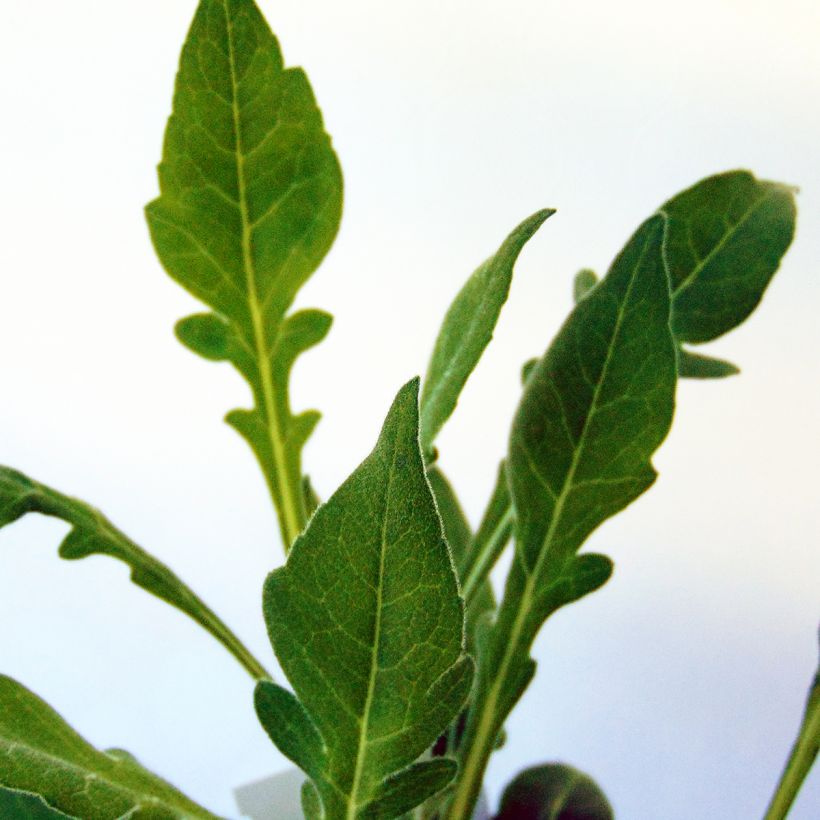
(594, 410)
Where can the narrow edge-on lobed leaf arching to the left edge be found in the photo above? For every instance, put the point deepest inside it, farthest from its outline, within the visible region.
(93, 534)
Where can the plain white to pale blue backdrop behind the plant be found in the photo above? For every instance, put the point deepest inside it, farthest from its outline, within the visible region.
(680, 685)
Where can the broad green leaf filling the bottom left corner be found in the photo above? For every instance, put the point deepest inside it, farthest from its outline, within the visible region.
(42, 754)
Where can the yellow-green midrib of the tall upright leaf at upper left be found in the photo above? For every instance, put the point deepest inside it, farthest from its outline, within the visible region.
(289, 504)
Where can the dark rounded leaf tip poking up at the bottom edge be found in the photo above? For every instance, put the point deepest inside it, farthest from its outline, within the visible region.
(554, 791)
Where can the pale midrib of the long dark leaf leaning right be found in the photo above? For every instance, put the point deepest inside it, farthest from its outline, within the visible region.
(475, 756)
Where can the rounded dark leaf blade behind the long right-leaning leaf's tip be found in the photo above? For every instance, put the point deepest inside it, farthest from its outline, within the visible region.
(725, 238)
